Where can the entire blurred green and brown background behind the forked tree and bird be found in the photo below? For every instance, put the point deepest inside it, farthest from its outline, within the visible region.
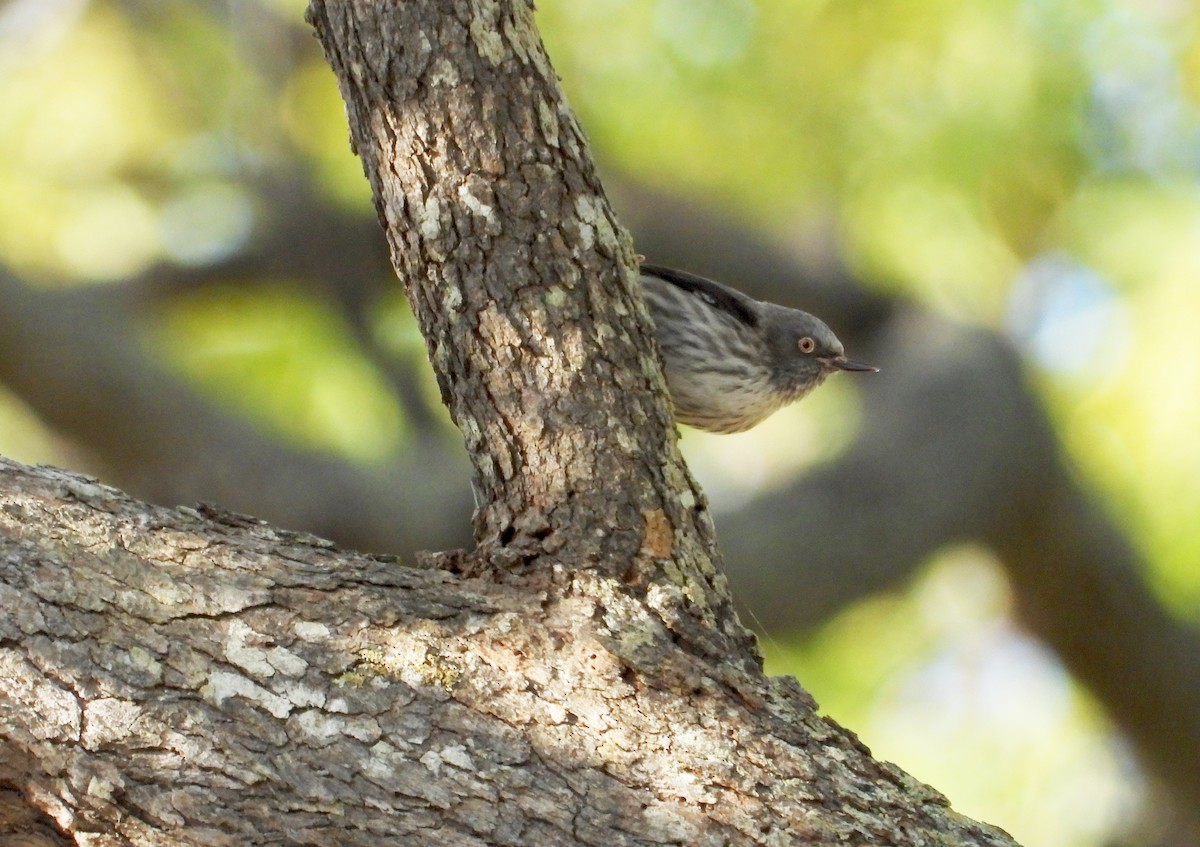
(997, 202)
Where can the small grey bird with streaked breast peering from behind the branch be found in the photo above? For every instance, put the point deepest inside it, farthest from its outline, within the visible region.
(731, 361)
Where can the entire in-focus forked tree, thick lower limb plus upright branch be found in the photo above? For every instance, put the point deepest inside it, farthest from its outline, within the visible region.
(176, 677)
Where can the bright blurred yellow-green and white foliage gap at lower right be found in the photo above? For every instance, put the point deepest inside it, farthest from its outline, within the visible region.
(940, 682)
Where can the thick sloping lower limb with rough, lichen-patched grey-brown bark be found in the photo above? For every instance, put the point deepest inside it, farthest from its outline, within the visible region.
(184, 678)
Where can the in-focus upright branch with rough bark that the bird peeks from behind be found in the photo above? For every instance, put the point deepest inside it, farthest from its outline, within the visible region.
(523, 283)
